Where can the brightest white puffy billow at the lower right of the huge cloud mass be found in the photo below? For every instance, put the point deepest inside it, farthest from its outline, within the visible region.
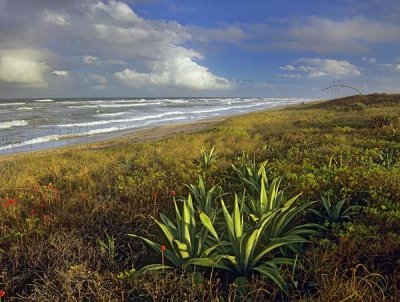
(176, 72)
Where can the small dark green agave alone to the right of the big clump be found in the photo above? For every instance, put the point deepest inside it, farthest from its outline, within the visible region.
(334, 212)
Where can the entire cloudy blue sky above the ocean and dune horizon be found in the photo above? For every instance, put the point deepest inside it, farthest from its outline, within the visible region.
(193, 48)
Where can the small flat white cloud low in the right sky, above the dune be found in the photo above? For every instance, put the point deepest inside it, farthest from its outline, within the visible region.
(317, 68)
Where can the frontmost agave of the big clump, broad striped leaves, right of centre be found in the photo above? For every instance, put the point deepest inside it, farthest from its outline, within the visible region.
(244, 250)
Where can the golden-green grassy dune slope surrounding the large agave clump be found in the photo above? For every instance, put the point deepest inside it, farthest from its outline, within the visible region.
(65, 214)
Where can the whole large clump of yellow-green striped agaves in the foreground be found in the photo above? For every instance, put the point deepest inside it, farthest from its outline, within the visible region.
(248, 240)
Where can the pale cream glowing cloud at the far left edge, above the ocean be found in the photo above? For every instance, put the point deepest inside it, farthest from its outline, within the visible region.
(23, 67)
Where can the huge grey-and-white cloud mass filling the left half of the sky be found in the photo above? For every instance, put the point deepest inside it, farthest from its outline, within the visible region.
(105, 34)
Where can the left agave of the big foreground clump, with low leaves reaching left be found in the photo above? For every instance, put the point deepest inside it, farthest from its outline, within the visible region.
(186, 239)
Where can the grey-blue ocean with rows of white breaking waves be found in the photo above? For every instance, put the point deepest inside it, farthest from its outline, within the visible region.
(35, 124)
